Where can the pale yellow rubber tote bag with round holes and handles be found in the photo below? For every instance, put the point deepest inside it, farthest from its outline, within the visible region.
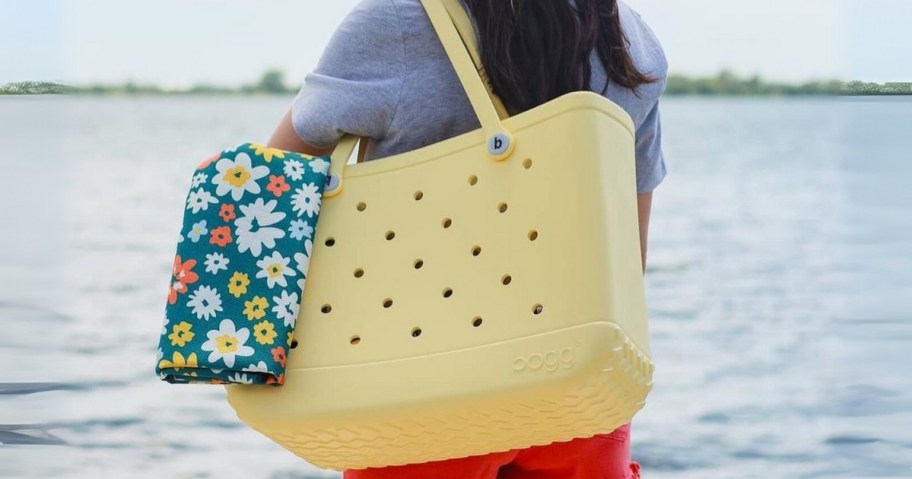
(480, 294)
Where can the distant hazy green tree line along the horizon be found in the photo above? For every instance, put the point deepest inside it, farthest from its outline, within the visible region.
(272, 82)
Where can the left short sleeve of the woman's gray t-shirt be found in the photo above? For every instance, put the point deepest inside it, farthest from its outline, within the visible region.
(357, 82)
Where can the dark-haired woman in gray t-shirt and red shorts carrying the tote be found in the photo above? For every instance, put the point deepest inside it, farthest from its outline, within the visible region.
(385, 75)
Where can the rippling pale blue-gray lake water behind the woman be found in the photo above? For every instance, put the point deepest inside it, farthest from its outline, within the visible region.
(778, 283)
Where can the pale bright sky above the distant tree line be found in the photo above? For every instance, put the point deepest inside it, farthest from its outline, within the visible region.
(228, 42)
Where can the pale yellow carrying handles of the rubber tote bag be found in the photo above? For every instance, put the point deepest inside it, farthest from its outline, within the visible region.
(454, 28)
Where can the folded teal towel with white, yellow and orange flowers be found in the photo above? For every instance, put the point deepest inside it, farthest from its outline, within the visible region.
(241, 263)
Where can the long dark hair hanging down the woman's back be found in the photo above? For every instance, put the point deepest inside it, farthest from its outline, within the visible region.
(536, 50)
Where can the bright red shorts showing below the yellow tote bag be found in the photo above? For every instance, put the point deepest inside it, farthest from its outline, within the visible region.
(604, 456)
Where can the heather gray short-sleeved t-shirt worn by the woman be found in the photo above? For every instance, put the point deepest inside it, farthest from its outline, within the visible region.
(385, 75)
